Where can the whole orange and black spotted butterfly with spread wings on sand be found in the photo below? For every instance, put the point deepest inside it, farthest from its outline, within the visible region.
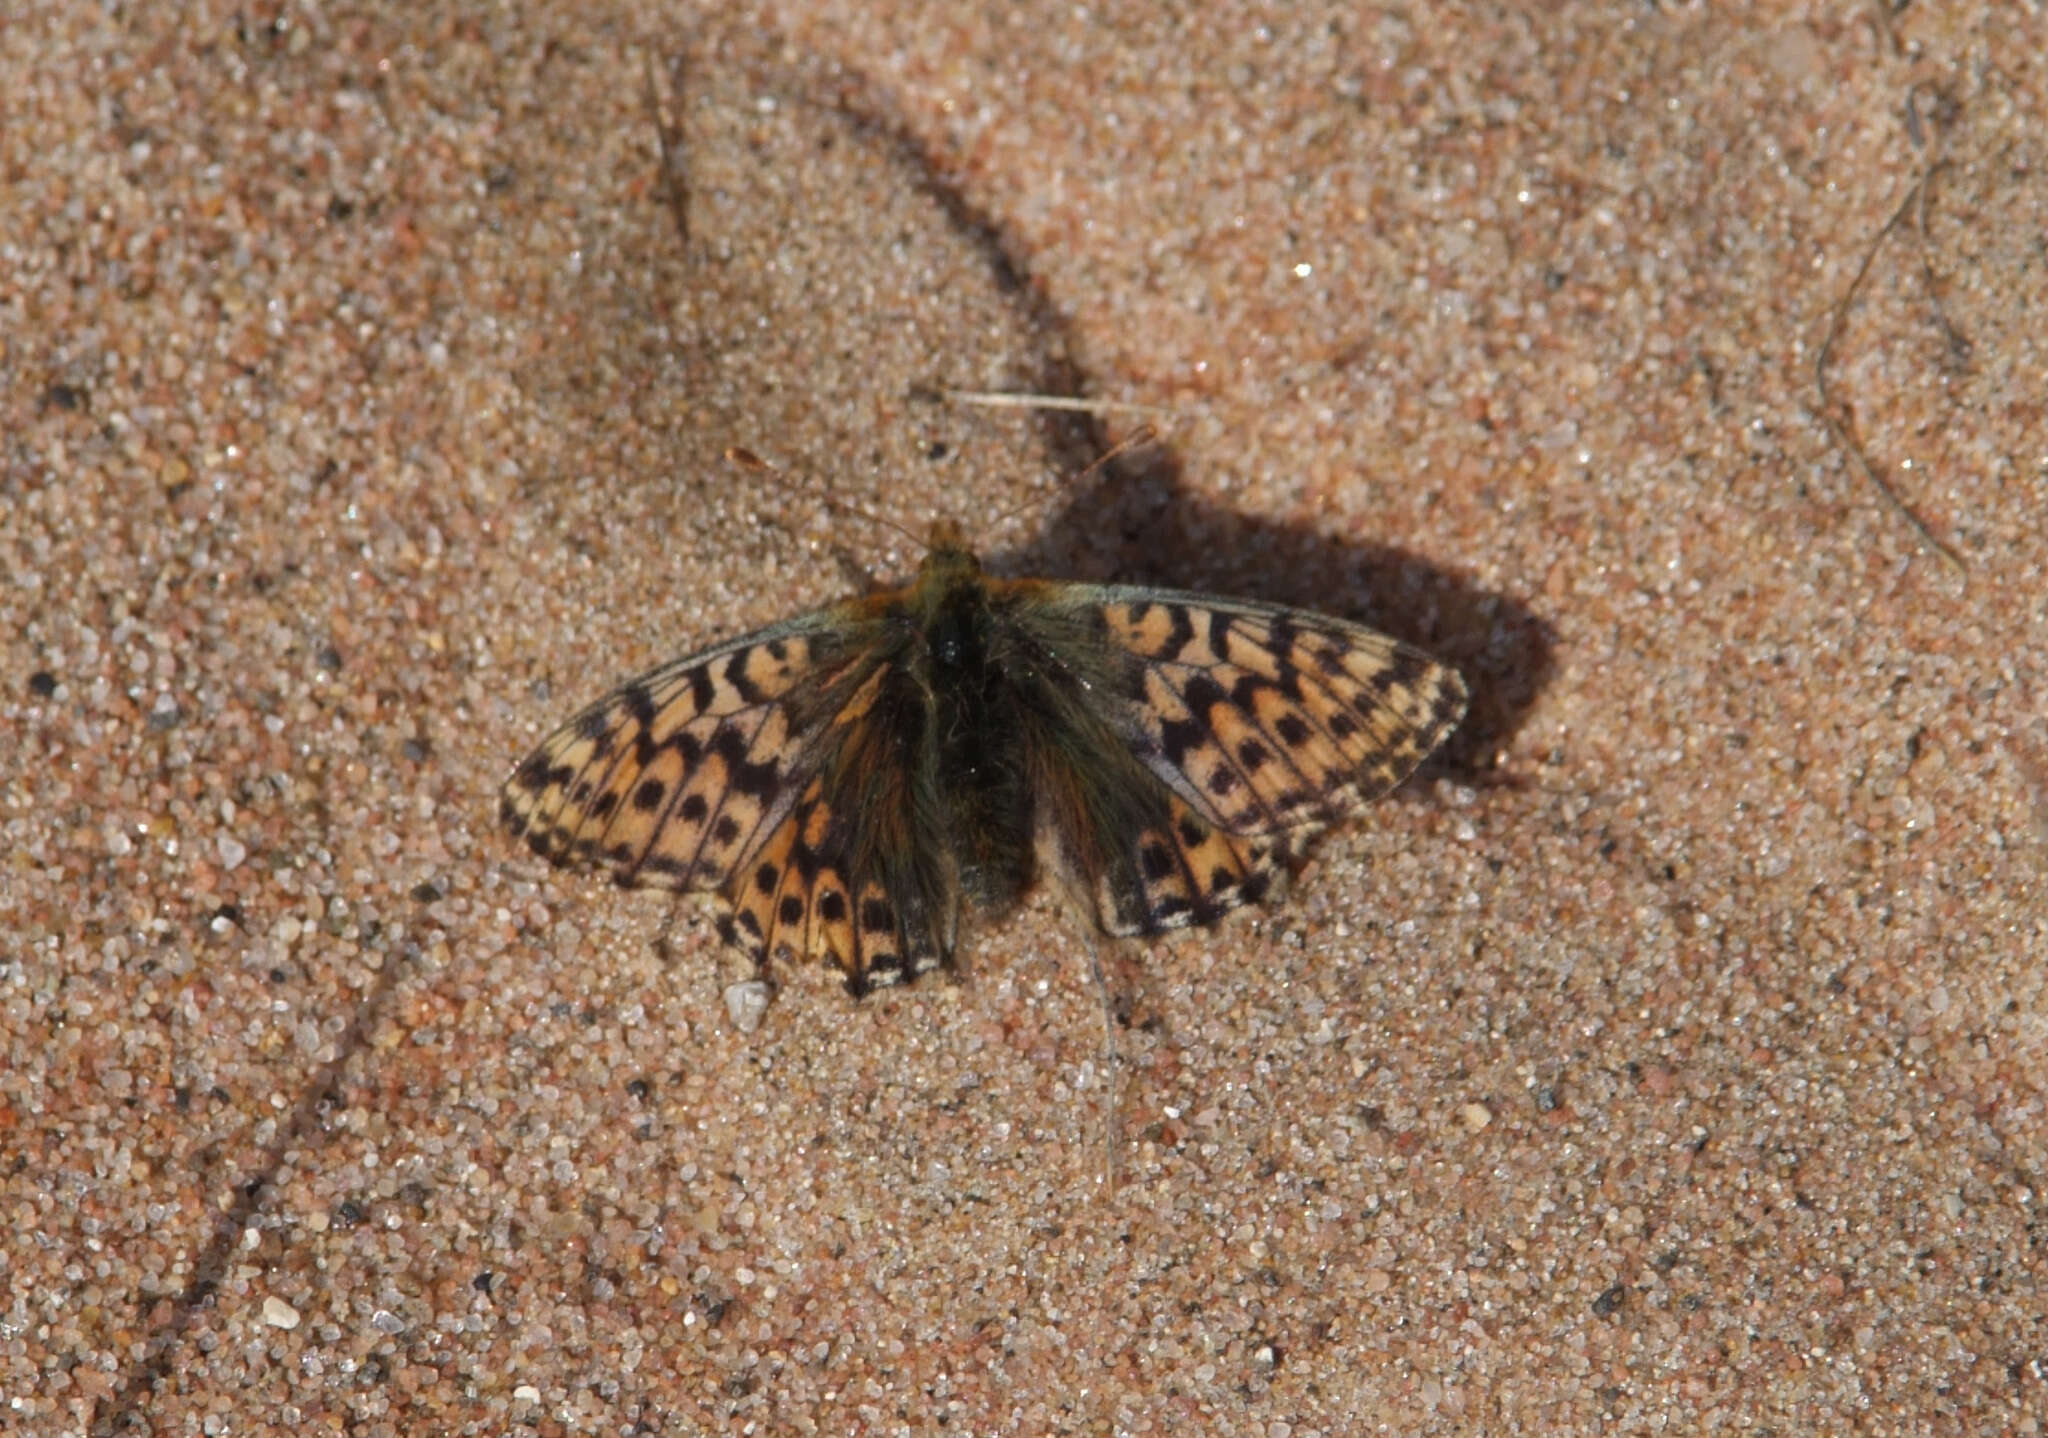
(847, 781)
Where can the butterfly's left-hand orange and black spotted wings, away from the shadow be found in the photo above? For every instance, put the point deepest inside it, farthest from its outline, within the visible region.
(775, 771)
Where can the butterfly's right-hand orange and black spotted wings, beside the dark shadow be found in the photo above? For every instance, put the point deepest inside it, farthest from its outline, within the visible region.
(1256, 724)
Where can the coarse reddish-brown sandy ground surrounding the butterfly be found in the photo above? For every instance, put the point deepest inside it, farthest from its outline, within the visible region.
(1666, 1058)
